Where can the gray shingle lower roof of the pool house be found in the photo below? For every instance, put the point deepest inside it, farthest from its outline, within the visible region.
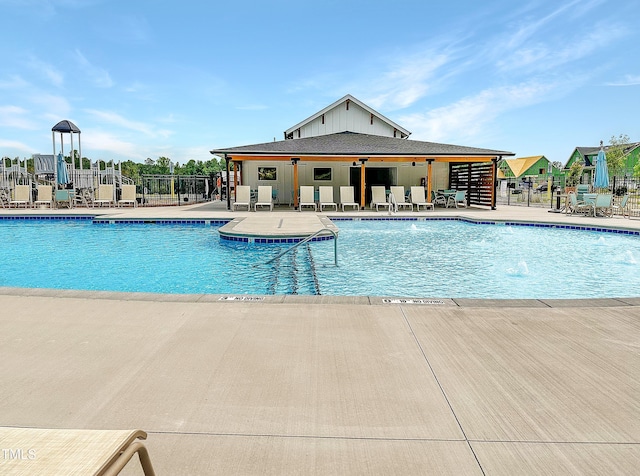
(359, 145)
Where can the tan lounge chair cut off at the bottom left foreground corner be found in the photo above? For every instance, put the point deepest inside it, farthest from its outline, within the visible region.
(62, 451)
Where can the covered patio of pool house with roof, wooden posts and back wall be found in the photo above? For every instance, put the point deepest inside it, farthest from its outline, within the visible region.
(362, 160)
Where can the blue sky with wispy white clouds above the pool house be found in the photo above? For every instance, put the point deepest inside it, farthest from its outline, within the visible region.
(144, 78)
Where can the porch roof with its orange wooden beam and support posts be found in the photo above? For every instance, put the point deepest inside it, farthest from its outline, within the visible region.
(366, 149)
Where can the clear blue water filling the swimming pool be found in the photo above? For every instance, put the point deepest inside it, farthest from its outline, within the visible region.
(376, 258)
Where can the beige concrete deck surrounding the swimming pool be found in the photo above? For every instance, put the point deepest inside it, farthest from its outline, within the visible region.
(322, 385)
